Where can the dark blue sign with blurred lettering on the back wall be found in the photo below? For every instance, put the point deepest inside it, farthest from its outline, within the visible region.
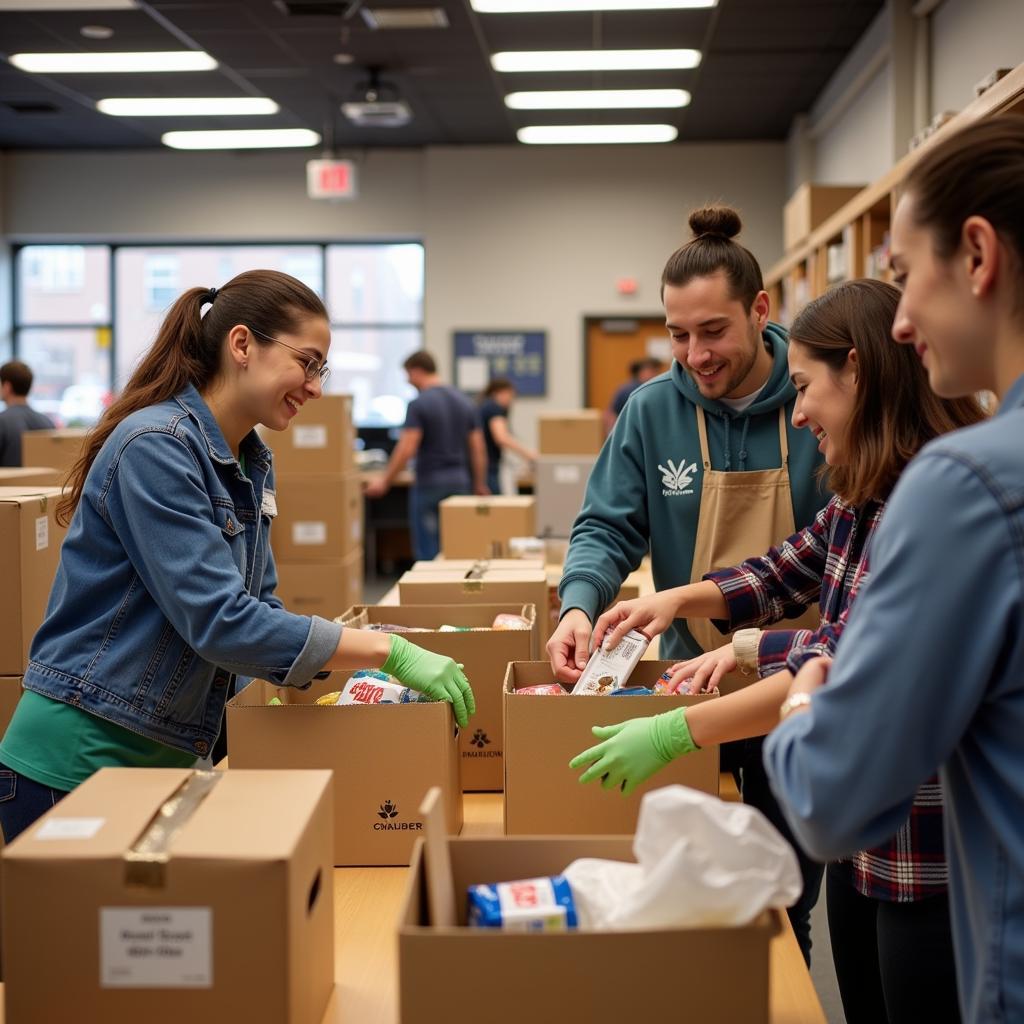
(520, 356)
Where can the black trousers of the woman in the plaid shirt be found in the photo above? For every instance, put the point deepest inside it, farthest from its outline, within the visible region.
(894, 962)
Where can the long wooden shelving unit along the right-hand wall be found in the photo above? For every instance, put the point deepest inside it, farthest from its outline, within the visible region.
(859, 234)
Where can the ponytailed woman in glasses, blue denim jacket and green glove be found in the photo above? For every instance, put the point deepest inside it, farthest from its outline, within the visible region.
(165, 587)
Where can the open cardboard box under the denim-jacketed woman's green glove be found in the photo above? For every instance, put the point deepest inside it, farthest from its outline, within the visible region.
(385, 760)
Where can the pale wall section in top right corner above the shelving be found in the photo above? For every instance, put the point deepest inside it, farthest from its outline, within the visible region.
(970, 38)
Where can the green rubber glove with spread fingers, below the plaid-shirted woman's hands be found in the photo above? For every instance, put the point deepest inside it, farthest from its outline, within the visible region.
(633, 751)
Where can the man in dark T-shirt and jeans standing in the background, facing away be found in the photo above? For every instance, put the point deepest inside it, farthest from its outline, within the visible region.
(443, 433)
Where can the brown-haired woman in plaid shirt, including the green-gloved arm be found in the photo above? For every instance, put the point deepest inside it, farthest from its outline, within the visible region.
(869, 403)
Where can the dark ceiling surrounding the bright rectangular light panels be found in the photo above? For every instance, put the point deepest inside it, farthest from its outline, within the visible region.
(764, 62)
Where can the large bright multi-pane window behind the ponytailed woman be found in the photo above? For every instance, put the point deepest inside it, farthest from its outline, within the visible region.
(83, 347)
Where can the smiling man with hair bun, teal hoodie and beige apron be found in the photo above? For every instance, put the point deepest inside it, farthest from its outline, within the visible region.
(704, 468)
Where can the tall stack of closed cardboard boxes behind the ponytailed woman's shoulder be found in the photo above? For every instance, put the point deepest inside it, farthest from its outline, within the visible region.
(318, 535)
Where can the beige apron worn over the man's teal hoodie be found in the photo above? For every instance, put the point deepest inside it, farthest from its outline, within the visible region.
(742, 516)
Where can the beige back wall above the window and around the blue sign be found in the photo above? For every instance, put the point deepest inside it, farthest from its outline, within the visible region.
(516, 237)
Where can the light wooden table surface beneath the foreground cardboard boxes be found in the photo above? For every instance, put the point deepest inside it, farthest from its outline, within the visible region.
(367, 903)
